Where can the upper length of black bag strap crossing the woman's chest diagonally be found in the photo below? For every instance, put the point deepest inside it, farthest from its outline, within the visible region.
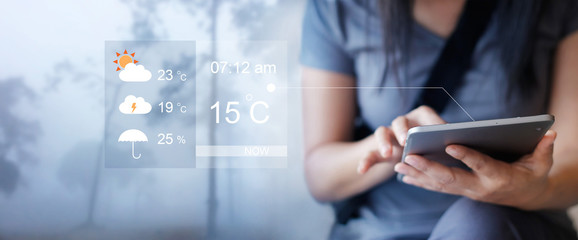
(456, 56)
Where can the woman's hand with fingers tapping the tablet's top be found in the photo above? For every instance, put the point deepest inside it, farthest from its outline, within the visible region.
(389, 141)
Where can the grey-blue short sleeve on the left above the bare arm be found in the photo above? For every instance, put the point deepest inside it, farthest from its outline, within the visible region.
(321, 44)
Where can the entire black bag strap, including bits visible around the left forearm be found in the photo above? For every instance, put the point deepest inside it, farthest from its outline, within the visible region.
(448, 72)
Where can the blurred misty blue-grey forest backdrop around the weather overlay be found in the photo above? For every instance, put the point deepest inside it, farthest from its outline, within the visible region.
(53, 184)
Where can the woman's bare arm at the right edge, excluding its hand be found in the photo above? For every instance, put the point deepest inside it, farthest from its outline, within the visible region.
(562, 192)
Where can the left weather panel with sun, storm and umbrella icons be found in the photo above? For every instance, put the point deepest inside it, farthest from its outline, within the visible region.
(150, 104)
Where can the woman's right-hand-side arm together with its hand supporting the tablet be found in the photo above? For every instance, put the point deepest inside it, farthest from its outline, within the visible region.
(544, 179)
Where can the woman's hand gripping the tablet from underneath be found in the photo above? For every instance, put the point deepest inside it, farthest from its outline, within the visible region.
(519, 184)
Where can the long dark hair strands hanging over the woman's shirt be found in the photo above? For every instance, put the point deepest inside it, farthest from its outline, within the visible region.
(516, 35)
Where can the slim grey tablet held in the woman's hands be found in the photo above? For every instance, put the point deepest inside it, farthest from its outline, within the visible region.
(505, 139)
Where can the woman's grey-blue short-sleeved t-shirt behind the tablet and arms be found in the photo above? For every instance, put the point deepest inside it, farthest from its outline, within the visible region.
(345, 36)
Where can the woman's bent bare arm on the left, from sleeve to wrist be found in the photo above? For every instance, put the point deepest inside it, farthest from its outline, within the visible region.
(332, 159)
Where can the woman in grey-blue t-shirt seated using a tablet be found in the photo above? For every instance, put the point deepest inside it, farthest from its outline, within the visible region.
(361, 61)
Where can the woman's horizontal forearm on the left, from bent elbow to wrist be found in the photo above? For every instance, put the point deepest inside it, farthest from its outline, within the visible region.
(331, 170)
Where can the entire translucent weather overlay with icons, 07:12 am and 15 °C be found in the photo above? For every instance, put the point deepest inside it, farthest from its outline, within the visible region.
(182, 104)
